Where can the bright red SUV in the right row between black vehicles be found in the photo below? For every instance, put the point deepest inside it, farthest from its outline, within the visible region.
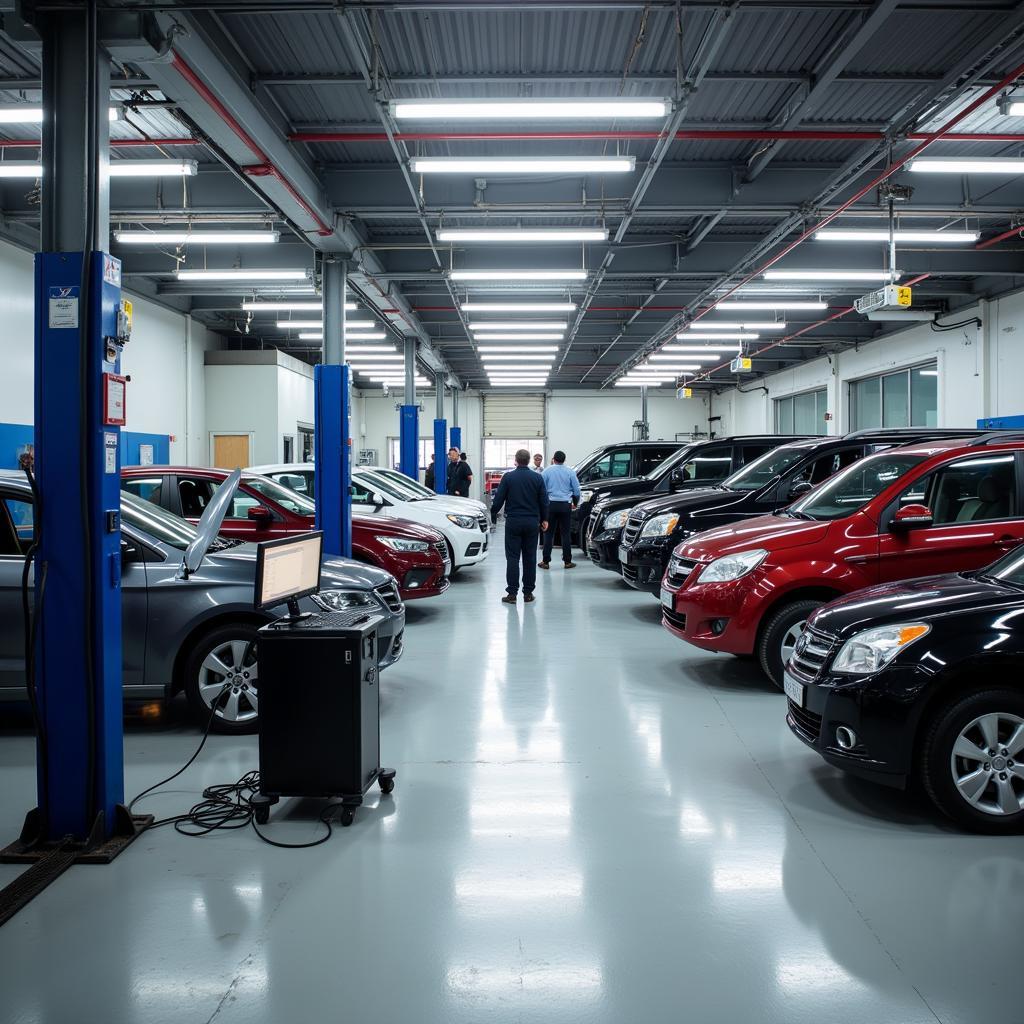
(912, 511)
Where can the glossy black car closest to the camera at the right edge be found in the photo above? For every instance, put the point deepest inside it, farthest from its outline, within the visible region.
(922, 680)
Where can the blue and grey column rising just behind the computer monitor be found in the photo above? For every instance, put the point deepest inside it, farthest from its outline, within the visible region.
(332, 395)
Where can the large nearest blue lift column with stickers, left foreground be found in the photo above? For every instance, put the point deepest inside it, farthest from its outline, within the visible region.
(76, 681)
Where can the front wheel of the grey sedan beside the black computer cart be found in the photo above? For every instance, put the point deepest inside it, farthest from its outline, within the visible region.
(206, 673)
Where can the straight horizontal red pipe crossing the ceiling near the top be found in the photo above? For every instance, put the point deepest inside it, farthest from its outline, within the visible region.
(710, 135)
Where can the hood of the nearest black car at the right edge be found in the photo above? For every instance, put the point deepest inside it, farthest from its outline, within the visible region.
(924, 600)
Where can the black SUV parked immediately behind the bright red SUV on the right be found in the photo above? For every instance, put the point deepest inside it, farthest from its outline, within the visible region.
(654, 528)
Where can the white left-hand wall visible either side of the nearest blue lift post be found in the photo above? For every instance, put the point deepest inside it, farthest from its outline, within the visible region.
(164, 360)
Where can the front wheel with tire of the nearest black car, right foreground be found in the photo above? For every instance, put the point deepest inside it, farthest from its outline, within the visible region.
(952, 776)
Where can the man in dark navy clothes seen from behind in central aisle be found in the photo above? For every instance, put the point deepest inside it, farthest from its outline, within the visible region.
(525, 499)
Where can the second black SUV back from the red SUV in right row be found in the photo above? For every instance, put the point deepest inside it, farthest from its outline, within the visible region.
(699, 464)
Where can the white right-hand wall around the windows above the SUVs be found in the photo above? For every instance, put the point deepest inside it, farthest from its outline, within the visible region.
(980, 372)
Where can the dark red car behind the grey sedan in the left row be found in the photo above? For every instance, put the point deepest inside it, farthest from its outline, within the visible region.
(264, 510)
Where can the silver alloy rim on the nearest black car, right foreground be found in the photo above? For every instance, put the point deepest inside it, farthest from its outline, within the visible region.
(988, 763)
